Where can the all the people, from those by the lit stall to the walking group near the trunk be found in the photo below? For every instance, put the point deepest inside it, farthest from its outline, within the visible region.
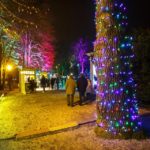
(83, 85)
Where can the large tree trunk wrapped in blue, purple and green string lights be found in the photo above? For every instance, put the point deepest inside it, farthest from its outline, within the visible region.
(117, 103)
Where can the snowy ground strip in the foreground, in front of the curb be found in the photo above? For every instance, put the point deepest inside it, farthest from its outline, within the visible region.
(83, 138)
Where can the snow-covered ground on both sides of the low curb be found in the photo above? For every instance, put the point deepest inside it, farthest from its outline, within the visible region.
(20, 113)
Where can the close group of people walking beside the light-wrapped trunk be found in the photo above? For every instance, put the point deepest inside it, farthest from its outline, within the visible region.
(85, 89)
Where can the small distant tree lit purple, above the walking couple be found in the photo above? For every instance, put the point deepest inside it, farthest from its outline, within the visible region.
(80, 49)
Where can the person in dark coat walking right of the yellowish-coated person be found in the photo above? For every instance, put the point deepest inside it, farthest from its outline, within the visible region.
(82, 85)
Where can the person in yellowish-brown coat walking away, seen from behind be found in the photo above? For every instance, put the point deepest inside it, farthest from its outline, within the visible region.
(70, 90)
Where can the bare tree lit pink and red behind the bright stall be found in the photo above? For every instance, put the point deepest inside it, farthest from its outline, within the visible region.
(36, 53)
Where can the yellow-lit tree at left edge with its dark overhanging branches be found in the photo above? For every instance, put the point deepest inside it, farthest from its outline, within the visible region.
(12, 18)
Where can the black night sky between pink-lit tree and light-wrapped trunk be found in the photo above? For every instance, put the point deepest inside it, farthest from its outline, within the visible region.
(72, 19)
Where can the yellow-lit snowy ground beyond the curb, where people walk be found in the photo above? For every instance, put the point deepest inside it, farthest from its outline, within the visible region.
(39, 111)
